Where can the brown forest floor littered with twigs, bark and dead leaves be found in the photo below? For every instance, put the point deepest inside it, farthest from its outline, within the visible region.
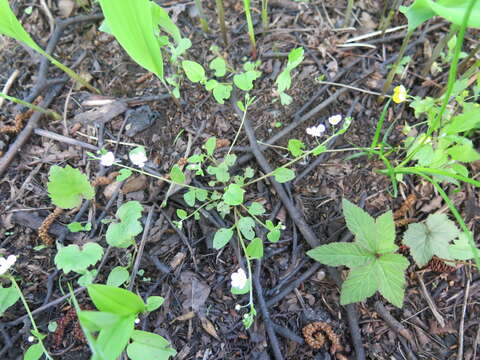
(199, 316)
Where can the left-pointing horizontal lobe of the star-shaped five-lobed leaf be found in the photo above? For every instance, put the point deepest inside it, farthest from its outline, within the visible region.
(339, 253)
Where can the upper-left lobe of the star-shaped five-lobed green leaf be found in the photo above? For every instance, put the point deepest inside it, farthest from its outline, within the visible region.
(361, 224)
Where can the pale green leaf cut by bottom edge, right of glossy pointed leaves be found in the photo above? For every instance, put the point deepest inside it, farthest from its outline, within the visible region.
(146, 345)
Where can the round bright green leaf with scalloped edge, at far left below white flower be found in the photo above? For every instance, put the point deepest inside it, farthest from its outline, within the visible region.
(68, 186)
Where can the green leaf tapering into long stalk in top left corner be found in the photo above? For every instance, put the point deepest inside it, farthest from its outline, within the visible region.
(10, 26)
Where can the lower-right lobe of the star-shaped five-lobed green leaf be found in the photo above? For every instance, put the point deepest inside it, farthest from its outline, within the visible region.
(390, 275)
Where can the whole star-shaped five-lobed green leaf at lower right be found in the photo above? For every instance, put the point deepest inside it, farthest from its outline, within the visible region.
(371, 257)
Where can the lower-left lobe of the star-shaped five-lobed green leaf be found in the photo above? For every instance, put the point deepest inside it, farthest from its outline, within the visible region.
(359, 285)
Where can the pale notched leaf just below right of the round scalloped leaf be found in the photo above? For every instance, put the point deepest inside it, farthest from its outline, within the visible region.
(123, 234)
